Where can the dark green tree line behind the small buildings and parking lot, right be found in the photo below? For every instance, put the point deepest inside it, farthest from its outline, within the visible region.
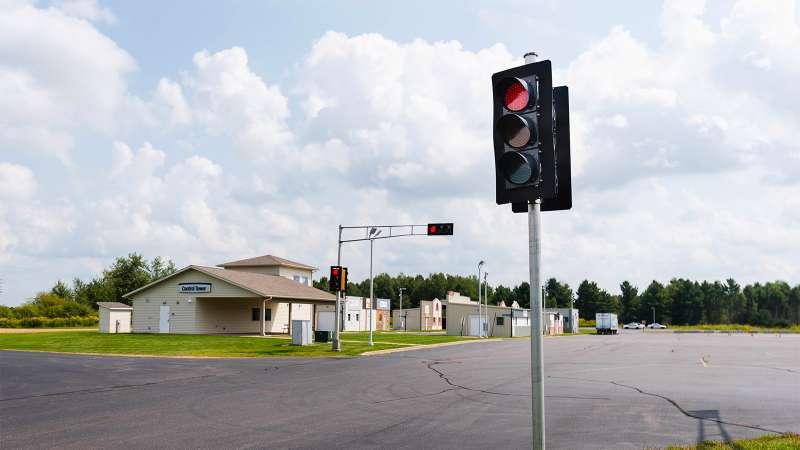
(678, 302)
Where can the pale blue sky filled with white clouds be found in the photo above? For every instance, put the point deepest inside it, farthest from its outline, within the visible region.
(206, 132)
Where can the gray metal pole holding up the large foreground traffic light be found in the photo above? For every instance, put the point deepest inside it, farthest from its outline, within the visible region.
(537, 353)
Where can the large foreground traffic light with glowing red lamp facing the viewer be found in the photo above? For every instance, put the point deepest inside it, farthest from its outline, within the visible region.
(523, 133)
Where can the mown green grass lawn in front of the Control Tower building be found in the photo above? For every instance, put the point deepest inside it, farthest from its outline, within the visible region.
(194, 345)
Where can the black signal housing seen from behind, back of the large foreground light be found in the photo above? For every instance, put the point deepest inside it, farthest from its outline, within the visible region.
(563, 198)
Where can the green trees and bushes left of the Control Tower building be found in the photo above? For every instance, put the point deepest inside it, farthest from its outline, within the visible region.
(125, 274)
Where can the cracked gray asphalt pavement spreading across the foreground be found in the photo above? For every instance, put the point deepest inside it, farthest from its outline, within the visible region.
(634, 390)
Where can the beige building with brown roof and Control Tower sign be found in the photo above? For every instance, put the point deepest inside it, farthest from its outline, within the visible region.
(255, 295)
